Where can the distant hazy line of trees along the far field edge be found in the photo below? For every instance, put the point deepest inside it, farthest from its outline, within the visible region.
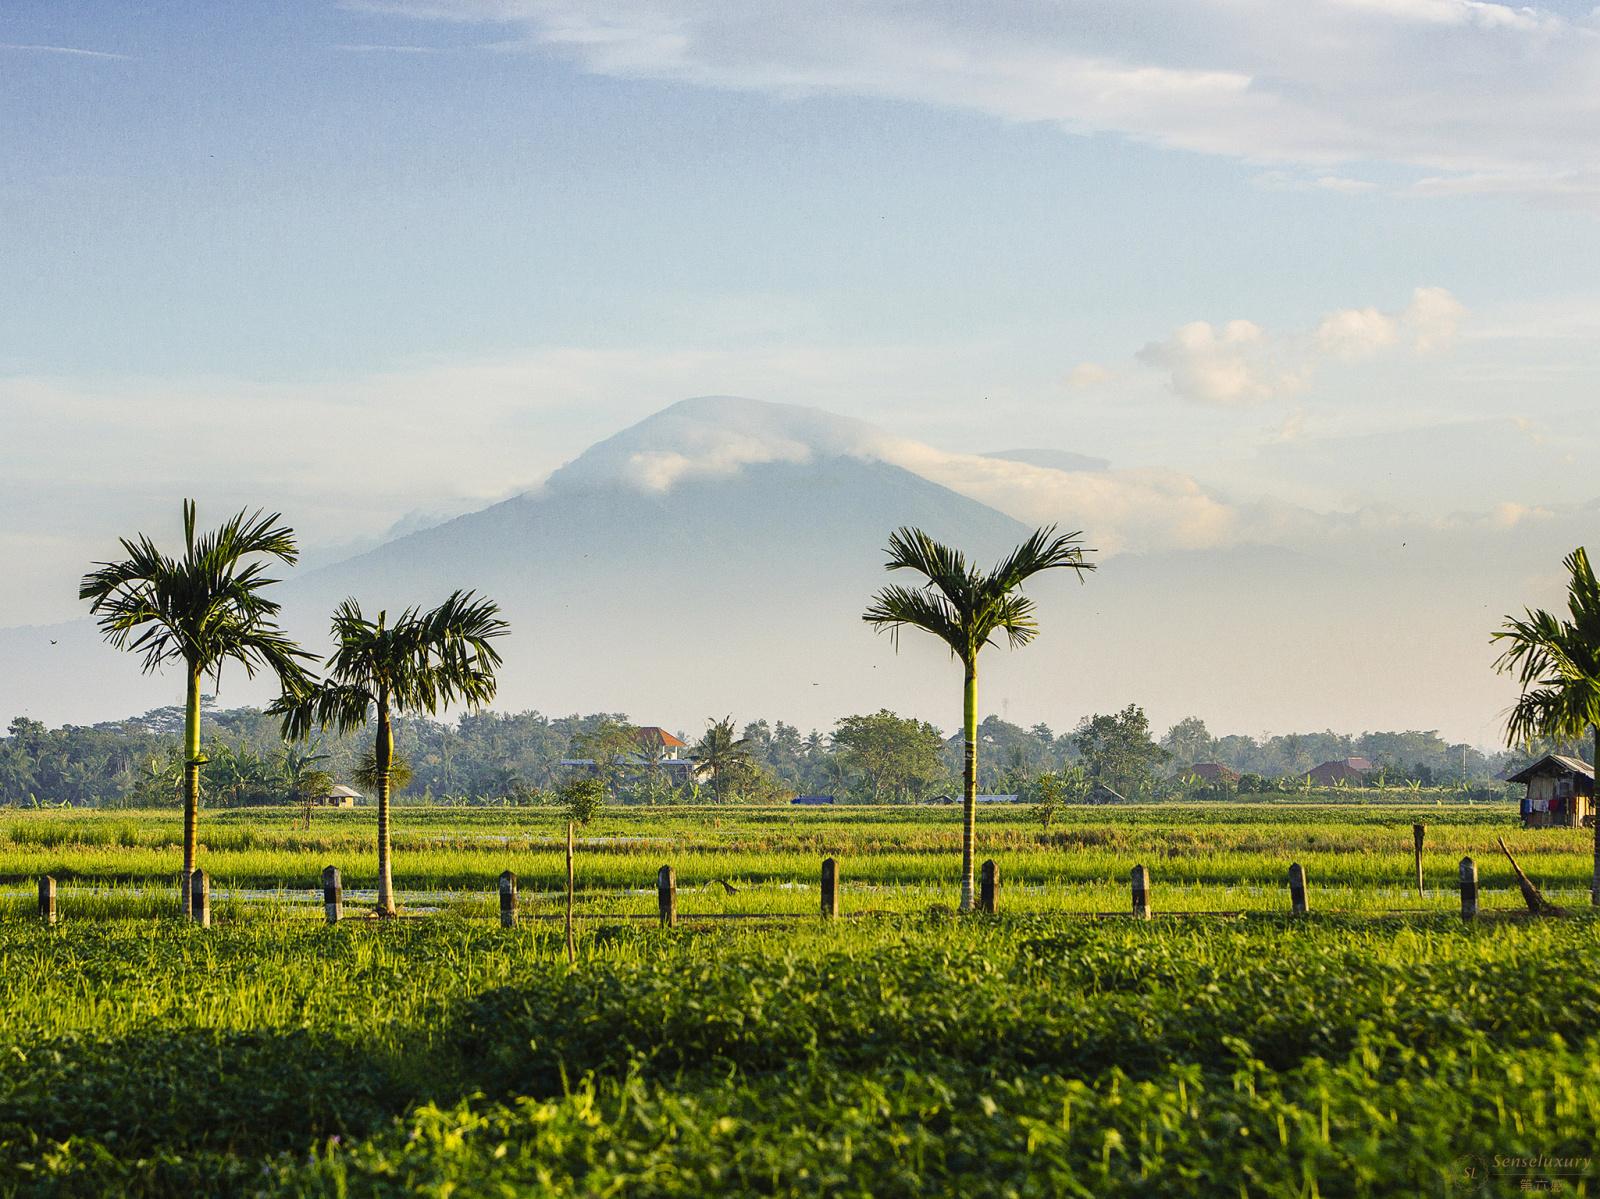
(516, 758)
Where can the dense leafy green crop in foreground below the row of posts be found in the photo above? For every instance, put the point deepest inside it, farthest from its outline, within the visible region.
(903, 1057)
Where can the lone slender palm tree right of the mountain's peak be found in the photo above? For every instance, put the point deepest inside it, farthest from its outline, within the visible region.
(966, 609)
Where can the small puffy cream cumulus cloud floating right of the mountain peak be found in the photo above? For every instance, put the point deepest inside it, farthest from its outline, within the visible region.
(1242, 364)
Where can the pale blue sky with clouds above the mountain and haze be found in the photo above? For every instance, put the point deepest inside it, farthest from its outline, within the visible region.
(1290, 270)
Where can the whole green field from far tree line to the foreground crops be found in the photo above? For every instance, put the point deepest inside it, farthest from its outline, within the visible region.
(908, 1053)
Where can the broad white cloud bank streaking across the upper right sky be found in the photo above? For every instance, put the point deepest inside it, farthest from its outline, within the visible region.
(1463, 89)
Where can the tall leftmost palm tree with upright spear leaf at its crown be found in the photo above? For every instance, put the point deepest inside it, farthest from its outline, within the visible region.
(201, 609)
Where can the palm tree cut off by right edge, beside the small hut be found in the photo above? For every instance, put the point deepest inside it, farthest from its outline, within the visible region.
(1558, 664)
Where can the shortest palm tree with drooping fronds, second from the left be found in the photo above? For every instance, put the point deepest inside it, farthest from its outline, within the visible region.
(420, 664)
